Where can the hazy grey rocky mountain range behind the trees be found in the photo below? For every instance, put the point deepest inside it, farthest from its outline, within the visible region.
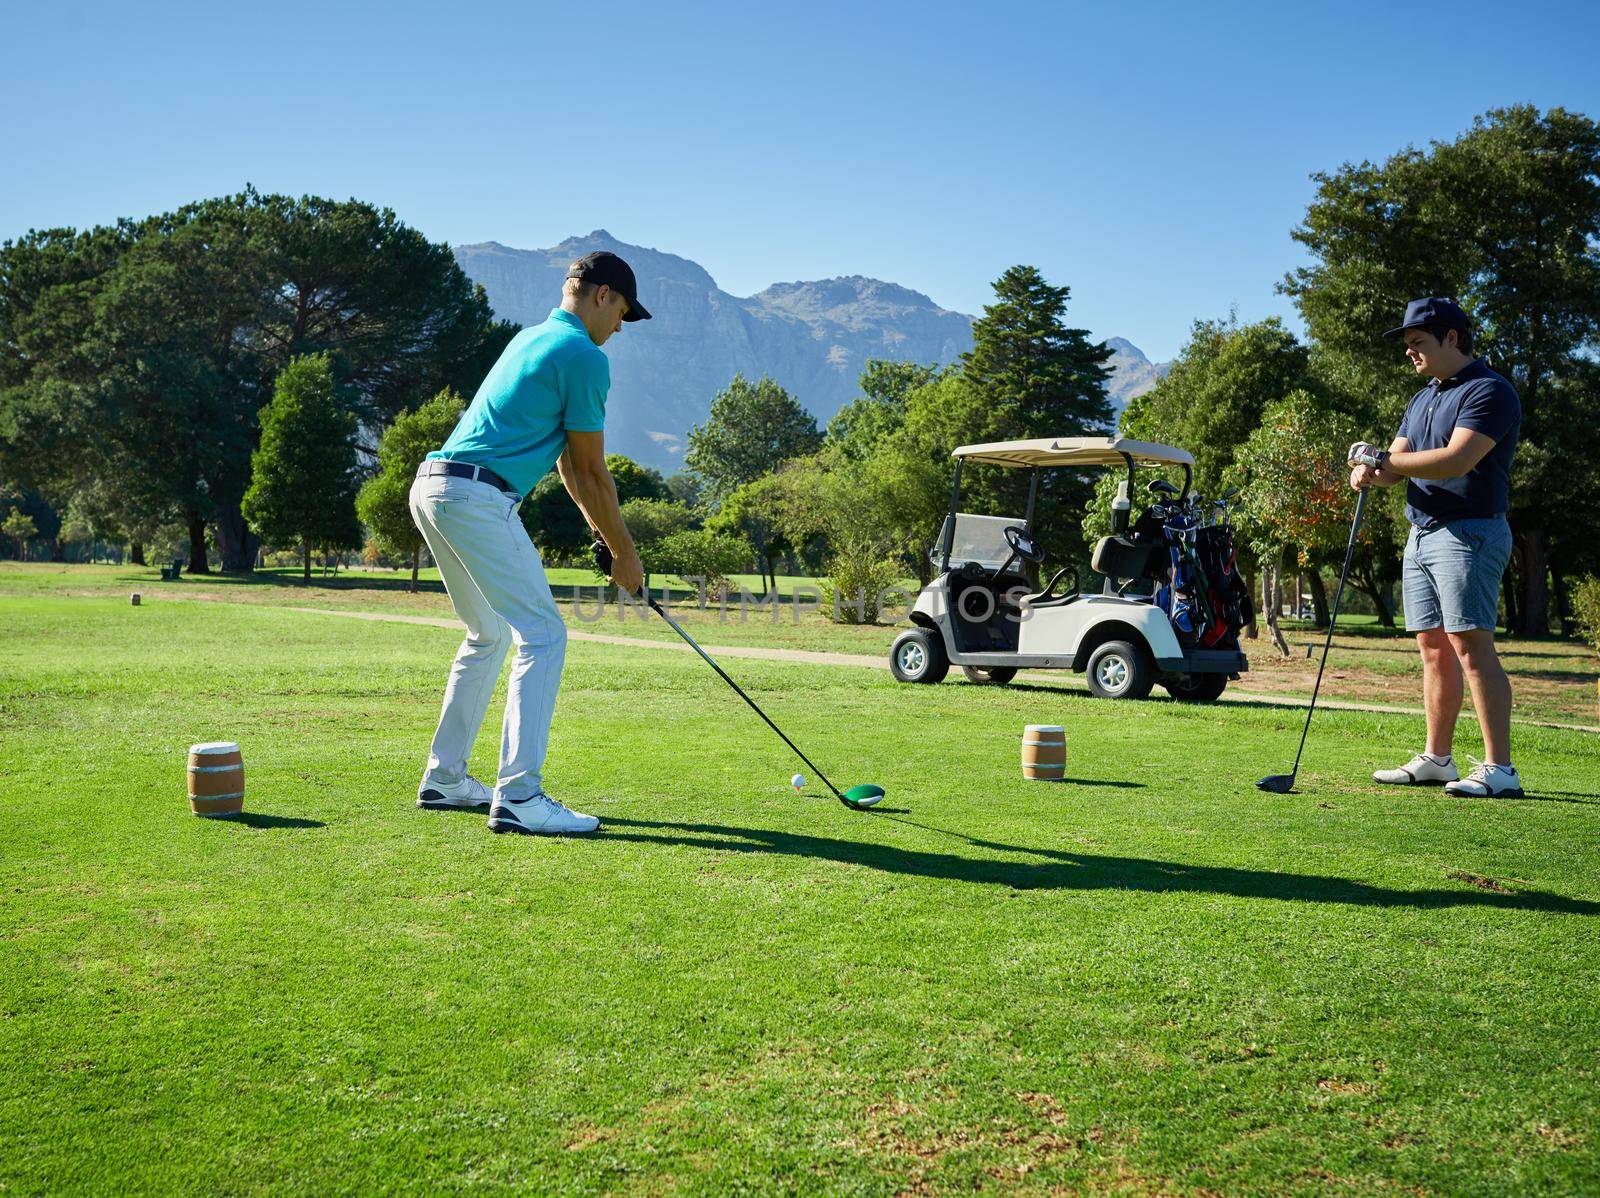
(814, 338)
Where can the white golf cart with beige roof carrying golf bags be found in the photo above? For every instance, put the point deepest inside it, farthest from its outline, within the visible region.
(1169, 612)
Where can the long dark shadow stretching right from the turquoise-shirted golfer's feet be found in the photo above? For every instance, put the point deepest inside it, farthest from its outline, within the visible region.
(1079, 871)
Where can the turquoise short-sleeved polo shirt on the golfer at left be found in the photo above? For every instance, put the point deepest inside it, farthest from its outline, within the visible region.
(550, 381)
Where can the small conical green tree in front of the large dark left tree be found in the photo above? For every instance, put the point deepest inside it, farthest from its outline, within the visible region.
(303, 476)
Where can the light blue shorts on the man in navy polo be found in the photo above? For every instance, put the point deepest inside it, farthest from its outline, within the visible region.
(1454, 573)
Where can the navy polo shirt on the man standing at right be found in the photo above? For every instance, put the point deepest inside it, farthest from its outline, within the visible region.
(1474, 399)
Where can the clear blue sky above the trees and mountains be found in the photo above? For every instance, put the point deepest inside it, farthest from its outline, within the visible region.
(1151, 156)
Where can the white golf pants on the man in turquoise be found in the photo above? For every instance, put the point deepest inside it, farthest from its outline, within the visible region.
(498, 588)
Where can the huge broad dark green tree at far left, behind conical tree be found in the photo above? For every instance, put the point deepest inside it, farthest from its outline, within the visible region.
(146, 351)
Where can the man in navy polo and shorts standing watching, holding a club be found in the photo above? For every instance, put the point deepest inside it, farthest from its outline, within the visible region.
(1454, 452)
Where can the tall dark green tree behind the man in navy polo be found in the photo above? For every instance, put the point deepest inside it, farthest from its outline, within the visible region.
(1506, 218)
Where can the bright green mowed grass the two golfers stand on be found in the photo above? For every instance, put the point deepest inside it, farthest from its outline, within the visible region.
(1150, 980)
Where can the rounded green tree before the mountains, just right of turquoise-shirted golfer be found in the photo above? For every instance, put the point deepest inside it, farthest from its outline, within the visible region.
(750, 431)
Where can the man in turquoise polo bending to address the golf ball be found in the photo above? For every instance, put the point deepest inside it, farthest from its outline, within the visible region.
(542, 405)
